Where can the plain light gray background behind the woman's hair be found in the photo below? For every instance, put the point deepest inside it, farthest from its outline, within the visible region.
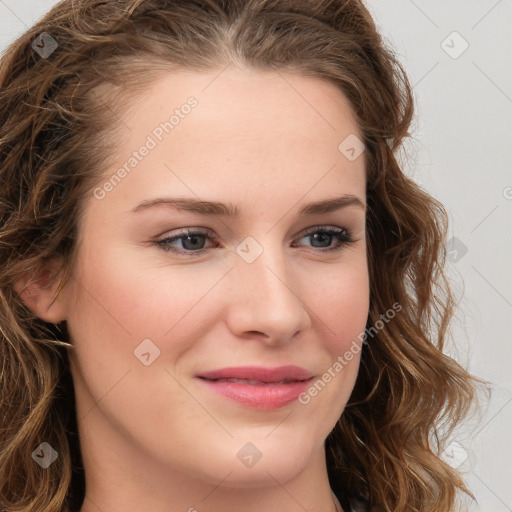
(460, 151)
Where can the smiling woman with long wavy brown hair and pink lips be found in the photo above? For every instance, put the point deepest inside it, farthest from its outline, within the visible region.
(219, 291)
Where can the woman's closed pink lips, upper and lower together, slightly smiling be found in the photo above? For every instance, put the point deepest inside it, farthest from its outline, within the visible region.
(266, 388)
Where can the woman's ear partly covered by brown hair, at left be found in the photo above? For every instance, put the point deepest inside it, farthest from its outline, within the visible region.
(37, 293)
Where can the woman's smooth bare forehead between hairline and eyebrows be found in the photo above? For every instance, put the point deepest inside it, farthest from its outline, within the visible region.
(232, 131)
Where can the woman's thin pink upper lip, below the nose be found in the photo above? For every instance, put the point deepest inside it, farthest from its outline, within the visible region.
(258, 373)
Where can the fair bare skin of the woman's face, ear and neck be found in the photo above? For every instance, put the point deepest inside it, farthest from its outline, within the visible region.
(154, 437)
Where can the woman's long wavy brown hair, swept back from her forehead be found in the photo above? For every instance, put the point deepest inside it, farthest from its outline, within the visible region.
(58, 121)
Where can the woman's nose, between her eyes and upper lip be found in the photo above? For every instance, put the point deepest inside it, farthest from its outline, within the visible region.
(265, 300)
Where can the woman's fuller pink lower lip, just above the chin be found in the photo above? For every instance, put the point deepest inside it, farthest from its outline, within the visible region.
(264, 396)
